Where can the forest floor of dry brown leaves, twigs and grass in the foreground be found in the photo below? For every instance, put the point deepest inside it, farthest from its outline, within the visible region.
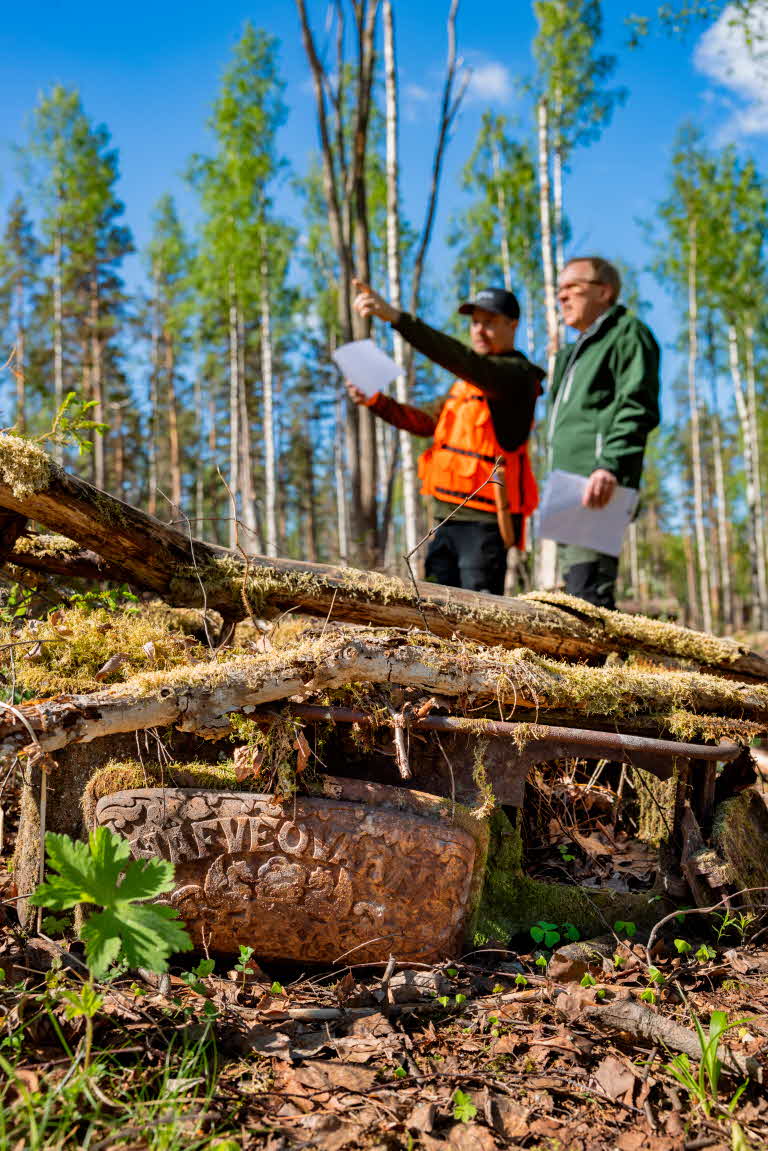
(493, 1051)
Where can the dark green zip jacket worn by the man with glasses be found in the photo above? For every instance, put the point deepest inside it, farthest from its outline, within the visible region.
(604, 400)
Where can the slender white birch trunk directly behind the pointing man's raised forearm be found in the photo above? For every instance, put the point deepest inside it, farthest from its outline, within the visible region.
(408, 463)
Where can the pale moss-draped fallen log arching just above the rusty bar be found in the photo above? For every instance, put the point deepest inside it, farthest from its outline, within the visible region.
(201, 697)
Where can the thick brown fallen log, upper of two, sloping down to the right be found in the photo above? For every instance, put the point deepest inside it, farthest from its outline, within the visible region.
(141, 551)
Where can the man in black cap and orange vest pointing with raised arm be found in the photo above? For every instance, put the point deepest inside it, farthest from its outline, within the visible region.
(486, 418)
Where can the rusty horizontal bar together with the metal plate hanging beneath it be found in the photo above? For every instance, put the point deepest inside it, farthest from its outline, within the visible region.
(508, 763)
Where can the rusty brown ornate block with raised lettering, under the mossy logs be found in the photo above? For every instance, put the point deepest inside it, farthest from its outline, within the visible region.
(366, 872)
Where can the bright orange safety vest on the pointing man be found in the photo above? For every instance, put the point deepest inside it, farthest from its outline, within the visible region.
(463, 455)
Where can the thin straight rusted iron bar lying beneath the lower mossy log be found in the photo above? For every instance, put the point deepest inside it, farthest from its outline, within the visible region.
(590, 744)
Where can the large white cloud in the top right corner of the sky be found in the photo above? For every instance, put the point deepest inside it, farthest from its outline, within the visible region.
(726, 56)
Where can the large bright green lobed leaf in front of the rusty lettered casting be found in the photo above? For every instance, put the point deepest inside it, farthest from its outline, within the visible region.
(100, 873)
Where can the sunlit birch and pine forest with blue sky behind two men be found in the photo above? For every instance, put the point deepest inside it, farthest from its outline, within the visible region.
(187, 199)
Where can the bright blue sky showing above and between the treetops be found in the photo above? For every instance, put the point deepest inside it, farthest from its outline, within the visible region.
(151, 72)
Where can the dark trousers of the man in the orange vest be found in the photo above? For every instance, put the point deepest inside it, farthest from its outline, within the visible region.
(468, 554)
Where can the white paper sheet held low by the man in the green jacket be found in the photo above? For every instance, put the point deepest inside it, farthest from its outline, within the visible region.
(564, 519)
